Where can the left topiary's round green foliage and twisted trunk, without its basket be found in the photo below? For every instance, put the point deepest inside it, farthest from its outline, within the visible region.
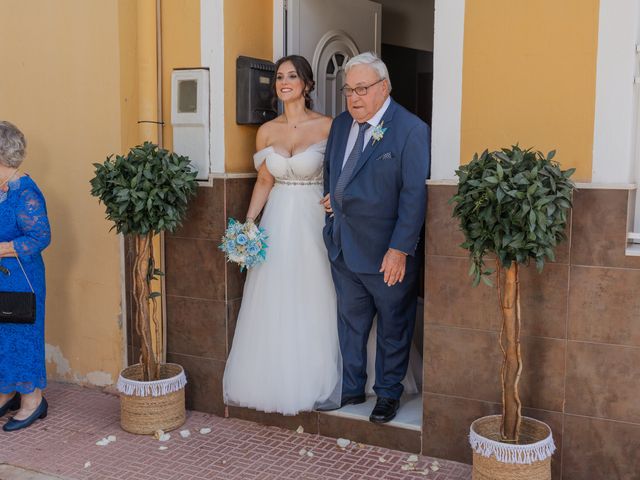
(145, 192)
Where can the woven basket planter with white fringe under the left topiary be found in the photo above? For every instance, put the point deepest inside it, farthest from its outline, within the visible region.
(146, 407)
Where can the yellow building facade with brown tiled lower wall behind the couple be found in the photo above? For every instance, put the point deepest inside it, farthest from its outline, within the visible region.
(86, 79)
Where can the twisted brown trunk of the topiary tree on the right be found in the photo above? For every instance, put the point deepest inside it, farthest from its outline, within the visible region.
(512, 362)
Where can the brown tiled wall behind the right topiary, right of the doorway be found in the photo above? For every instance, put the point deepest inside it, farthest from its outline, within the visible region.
(580, 343)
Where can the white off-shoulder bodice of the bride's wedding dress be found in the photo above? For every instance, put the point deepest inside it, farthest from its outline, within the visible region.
(303, 166)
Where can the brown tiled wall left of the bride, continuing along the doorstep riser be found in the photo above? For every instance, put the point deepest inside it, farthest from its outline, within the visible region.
(203, 301)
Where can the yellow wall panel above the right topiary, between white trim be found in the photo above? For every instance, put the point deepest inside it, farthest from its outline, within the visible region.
(529, 74)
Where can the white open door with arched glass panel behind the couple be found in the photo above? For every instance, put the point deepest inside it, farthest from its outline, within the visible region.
(328, 33)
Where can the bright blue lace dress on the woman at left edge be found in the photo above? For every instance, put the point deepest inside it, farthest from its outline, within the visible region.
(23, 220)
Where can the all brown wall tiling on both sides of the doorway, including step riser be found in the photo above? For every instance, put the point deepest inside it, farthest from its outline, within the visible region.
(580, 344)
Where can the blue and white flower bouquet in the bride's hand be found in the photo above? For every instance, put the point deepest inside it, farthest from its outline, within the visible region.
(244, 244)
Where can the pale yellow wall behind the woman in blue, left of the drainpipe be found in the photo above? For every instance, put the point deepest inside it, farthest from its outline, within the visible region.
(65, 83)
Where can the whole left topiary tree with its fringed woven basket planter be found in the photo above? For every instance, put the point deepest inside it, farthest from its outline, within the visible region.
(146, 192)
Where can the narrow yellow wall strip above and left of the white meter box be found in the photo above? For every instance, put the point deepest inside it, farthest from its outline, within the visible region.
(180, 49)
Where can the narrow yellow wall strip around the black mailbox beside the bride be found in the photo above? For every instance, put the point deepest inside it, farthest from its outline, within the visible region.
(248, 31)
